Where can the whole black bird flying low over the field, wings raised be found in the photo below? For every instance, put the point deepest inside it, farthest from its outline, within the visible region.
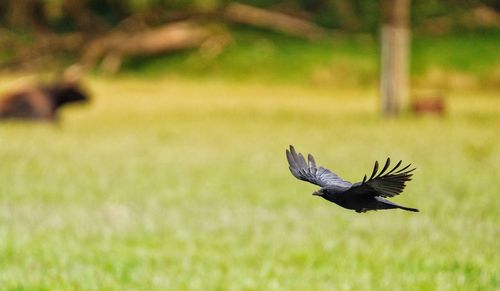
(362, 196)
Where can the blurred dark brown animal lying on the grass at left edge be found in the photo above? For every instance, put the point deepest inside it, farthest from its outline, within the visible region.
(40, 102)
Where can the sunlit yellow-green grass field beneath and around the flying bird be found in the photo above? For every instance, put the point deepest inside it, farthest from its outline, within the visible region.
(183, 185)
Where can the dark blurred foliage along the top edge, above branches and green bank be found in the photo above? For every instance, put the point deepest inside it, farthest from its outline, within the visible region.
(345, 15)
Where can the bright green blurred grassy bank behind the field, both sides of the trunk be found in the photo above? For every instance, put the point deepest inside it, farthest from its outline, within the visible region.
(344, 61)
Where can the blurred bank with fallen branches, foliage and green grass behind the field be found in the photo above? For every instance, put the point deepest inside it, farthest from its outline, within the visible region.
(329, 43)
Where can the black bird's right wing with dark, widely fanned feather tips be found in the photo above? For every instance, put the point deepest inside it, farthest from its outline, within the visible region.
(389, 184)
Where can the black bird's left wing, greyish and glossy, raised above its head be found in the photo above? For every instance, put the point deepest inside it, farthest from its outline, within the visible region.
(308, 171)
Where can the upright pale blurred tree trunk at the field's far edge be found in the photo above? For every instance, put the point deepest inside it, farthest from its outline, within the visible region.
(394, 55)
